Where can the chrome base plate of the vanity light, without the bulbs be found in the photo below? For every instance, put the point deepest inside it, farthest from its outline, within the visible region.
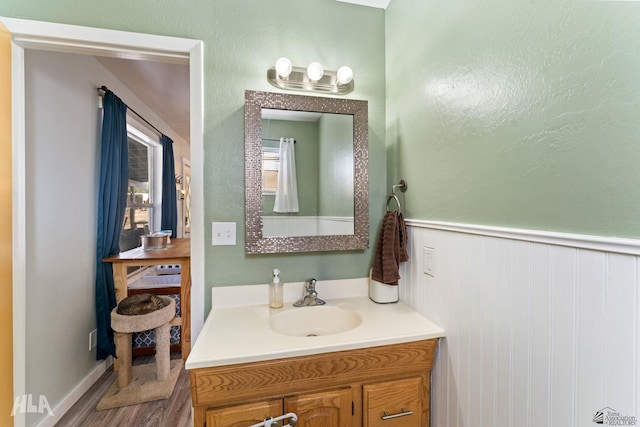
(299, 80)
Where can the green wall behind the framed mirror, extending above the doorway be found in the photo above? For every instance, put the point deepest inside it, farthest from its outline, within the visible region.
(242, 39)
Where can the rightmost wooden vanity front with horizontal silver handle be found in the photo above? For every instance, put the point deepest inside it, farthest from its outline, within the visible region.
(393, 403)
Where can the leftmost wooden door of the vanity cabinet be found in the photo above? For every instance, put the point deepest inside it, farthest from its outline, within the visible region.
(244, 415)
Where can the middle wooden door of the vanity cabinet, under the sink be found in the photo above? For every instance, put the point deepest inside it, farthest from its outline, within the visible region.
(325, 409)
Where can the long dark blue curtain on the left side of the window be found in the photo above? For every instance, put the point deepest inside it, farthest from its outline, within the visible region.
(112, 194)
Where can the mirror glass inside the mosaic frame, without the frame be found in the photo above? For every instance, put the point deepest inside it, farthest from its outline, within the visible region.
(322, 171)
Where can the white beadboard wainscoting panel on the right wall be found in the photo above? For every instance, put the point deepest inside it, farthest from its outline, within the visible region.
(537, 334)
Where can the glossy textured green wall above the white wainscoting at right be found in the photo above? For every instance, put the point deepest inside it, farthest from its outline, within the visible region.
(516, 114)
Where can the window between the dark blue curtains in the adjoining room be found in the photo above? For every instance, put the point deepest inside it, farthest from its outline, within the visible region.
(140, 214)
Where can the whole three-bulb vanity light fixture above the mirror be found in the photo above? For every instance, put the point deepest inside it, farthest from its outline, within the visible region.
(313, 78)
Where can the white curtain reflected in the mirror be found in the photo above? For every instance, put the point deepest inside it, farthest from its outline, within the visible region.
(287, 188)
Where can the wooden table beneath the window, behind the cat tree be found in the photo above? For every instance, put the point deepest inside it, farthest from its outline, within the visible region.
(178, 252)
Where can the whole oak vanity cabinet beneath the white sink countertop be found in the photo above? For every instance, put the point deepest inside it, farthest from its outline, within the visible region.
(368, 387)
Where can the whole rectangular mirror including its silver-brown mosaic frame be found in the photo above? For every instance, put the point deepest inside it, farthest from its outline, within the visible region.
(330, 167)
